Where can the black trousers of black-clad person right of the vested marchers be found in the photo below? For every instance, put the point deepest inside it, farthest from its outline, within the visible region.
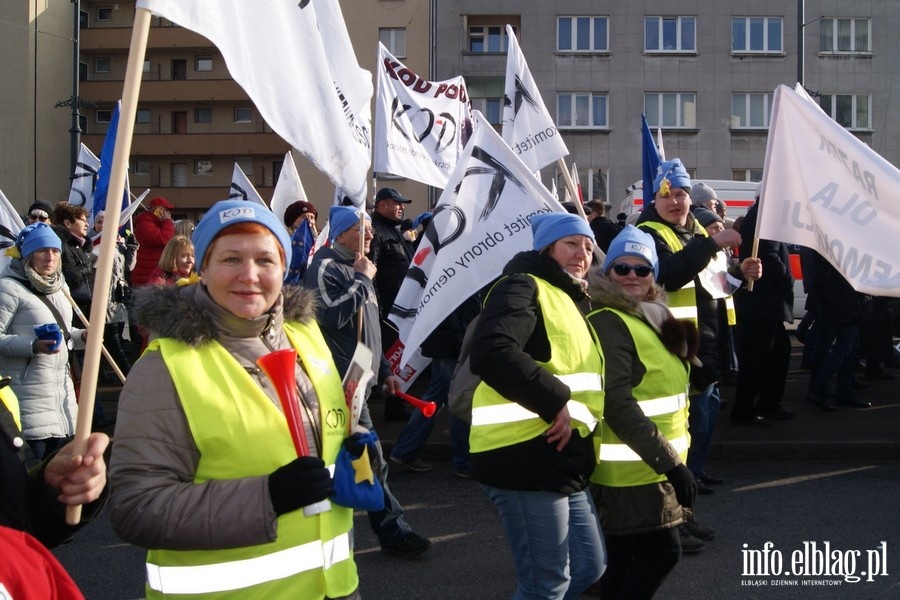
(764, 355)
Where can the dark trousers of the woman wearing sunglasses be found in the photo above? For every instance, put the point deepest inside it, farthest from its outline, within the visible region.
(638, 564)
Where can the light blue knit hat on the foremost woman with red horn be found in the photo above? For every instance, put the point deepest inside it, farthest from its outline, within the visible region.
(229, 212)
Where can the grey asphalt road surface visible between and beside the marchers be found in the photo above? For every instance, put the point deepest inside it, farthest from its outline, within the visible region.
(842, 510)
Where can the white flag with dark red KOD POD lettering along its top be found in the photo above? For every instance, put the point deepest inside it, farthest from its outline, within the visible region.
(421, 126)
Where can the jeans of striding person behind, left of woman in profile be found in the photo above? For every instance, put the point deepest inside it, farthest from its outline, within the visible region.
(415, 434)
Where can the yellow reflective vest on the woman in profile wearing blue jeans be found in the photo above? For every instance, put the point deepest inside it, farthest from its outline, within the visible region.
(574, 359)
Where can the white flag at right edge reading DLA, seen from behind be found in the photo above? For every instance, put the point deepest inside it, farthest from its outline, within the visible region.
(825, 189)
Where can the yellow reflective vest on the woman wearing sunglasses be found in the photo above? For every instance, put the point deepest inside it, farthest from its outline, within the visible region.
(662, 395)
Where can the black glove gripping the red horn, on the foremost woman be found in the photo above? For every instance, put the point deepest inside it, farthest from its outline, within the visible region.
(299, 483)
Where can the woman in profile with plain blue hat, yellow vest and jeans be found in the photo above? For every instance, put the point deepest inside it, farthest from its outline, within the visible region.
(535, 411)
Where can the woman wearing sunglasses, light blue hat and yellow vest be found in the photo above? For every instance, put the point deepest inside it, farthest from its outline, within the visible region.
(641, 482)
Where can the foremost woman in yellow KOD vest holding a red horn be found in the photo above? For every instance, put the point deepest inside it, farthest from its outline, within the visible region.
(205, 474)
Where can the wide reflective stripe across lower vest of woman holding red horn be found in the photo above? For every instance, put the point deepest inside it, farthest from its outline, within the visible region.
(240, 574)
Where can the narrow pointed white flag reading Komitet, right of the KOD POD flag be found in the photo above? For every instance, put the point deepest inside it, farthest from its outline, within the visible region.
(527, 126)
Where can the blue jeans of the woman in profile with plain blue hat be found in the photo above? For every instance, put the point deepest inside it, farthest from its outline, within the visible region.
(555, 541)
